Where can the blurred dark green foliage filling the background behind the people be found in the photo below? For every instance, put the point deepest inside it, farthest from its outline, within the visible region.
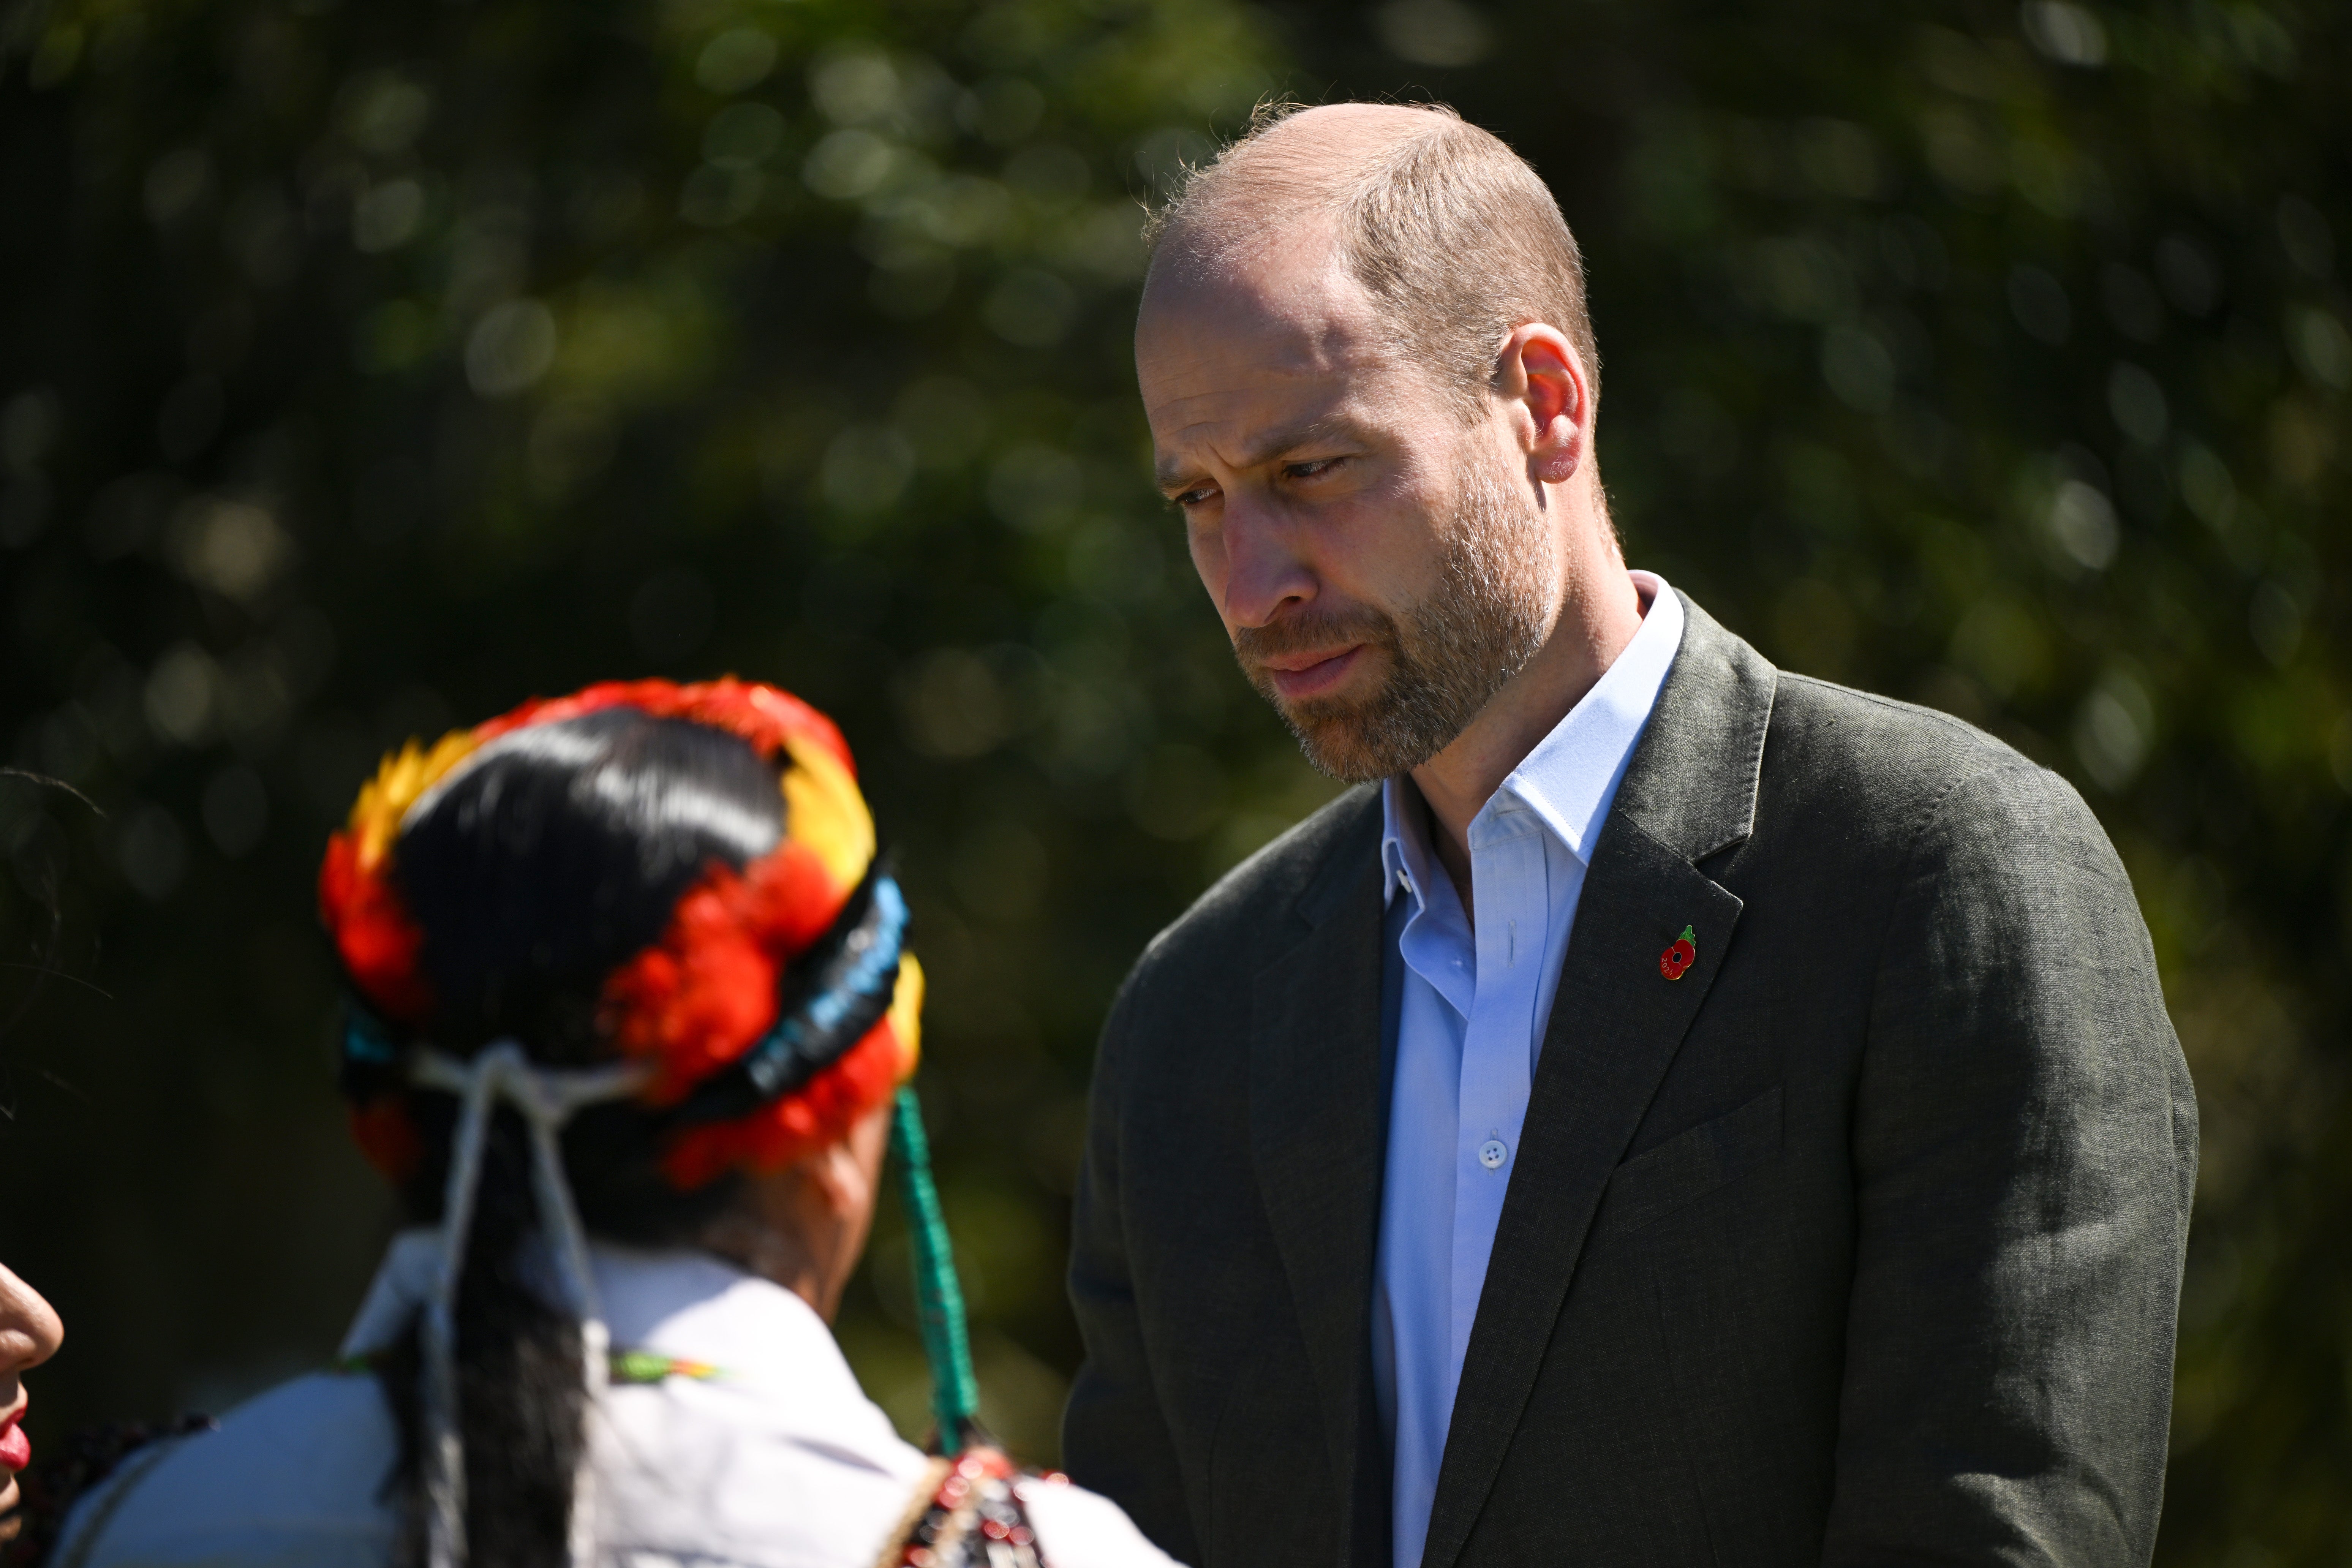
(373, 368)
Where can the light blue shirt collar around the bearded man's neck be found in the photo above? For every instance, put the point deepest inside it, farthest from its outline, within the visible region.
(1575, 772)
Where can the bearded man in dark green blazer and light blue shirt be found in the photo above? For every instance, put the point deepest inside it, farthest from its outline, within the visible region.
(1819, 1200)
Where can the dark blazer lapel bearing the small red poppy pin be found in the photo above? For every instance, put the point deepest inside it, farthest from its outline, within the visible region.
(1615, 1031)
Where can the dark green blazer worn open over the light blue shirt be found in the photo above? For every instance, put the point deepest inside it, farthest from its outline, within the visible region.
(1857, 1245)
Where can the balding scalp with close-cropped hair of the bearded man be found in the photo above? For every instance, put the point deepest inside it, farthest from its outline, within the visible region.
(1452, 234)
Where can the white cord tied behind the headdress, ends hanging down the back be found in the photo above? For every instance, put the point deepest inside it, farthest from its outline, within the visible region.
(547, 1099)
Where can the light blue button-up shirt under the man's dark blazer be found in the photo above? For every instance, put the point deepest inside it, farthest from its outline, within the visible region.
(1471, 1024)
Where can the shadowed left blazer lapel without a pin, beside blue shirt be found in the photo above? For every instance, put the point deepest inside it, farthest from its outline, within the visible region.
(1318, 1123)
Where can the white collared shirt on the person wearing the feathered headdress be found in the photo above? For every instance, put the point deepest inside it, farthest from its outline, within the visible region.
(770, 1461)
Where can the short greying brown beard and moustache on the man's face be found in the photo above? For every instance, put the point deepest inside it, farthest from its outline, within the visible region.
(1448, 657)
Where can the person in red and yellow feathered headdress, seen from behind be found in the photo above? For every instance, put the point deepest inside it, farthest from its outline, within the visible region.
(629, 1028)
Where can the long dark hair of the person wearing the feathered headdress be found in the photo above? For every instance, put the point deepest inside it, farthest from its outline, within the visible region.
(533, 873)
